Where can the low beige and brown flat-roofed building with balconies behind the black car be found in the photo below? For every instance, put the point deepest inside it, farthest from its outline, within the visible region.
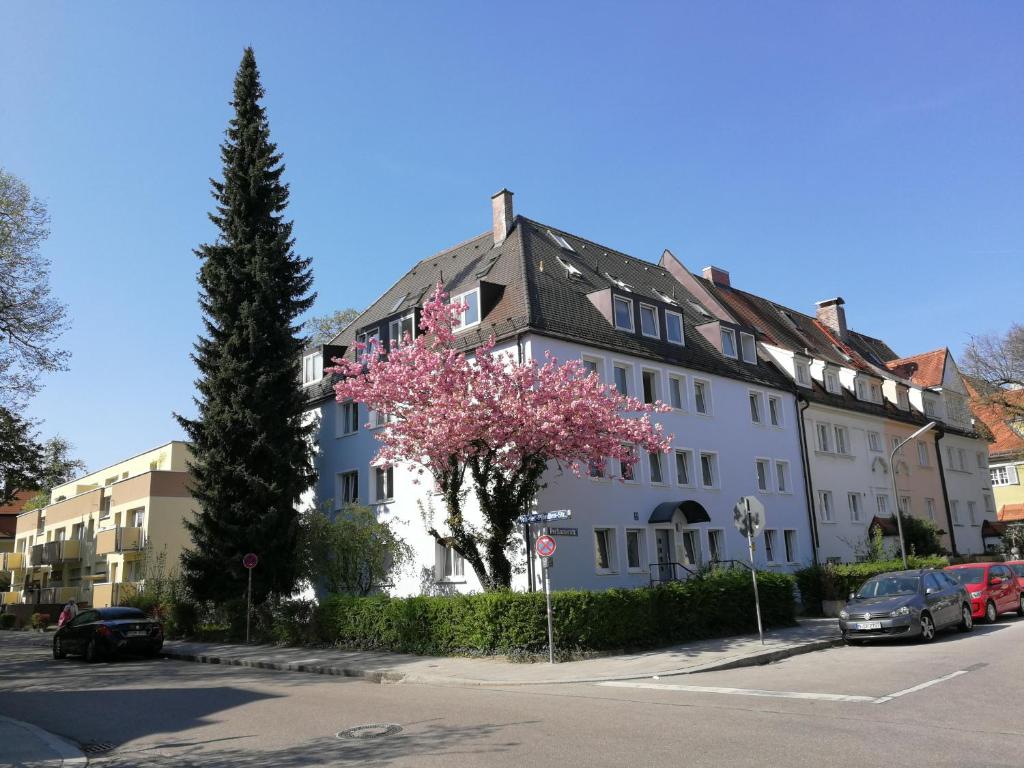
(102, 534)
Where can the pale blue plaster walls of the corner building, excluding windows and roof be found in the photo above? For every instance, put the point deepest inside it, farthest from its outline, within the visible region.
(728, 434)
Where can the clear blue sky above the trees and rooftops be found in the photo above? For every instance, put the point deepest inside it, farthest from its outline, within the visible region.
(868, 150)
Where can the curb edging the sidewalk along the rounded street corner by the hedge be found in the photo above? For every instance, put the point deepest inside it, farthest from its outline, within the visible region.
(390, 676)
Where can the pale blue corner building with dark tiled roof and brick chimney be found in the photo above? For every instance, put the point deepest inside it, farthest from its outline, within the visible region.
(643, 328)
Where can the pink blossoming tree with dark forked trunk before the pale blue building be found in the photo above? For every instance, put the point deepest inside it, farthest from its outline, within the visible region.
(499, 422)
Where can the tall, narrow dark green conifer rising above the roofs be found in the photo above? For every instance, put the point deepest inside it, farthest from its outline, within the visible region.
(251, 454)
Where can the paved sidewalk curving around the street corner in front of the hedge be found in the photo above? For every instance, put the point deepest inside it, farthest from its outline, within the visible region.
(706, 656)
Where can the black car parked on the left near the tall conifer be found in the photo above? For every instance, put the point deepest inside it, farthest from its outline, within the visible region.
(103, 632)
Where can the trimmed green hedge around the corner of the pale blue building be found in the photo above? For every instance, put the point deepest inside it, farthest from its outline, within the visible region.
(515, 623)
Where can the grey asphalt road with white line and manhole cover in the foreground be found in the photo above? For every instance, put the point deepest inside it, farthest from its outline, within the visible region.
(959, 702)
